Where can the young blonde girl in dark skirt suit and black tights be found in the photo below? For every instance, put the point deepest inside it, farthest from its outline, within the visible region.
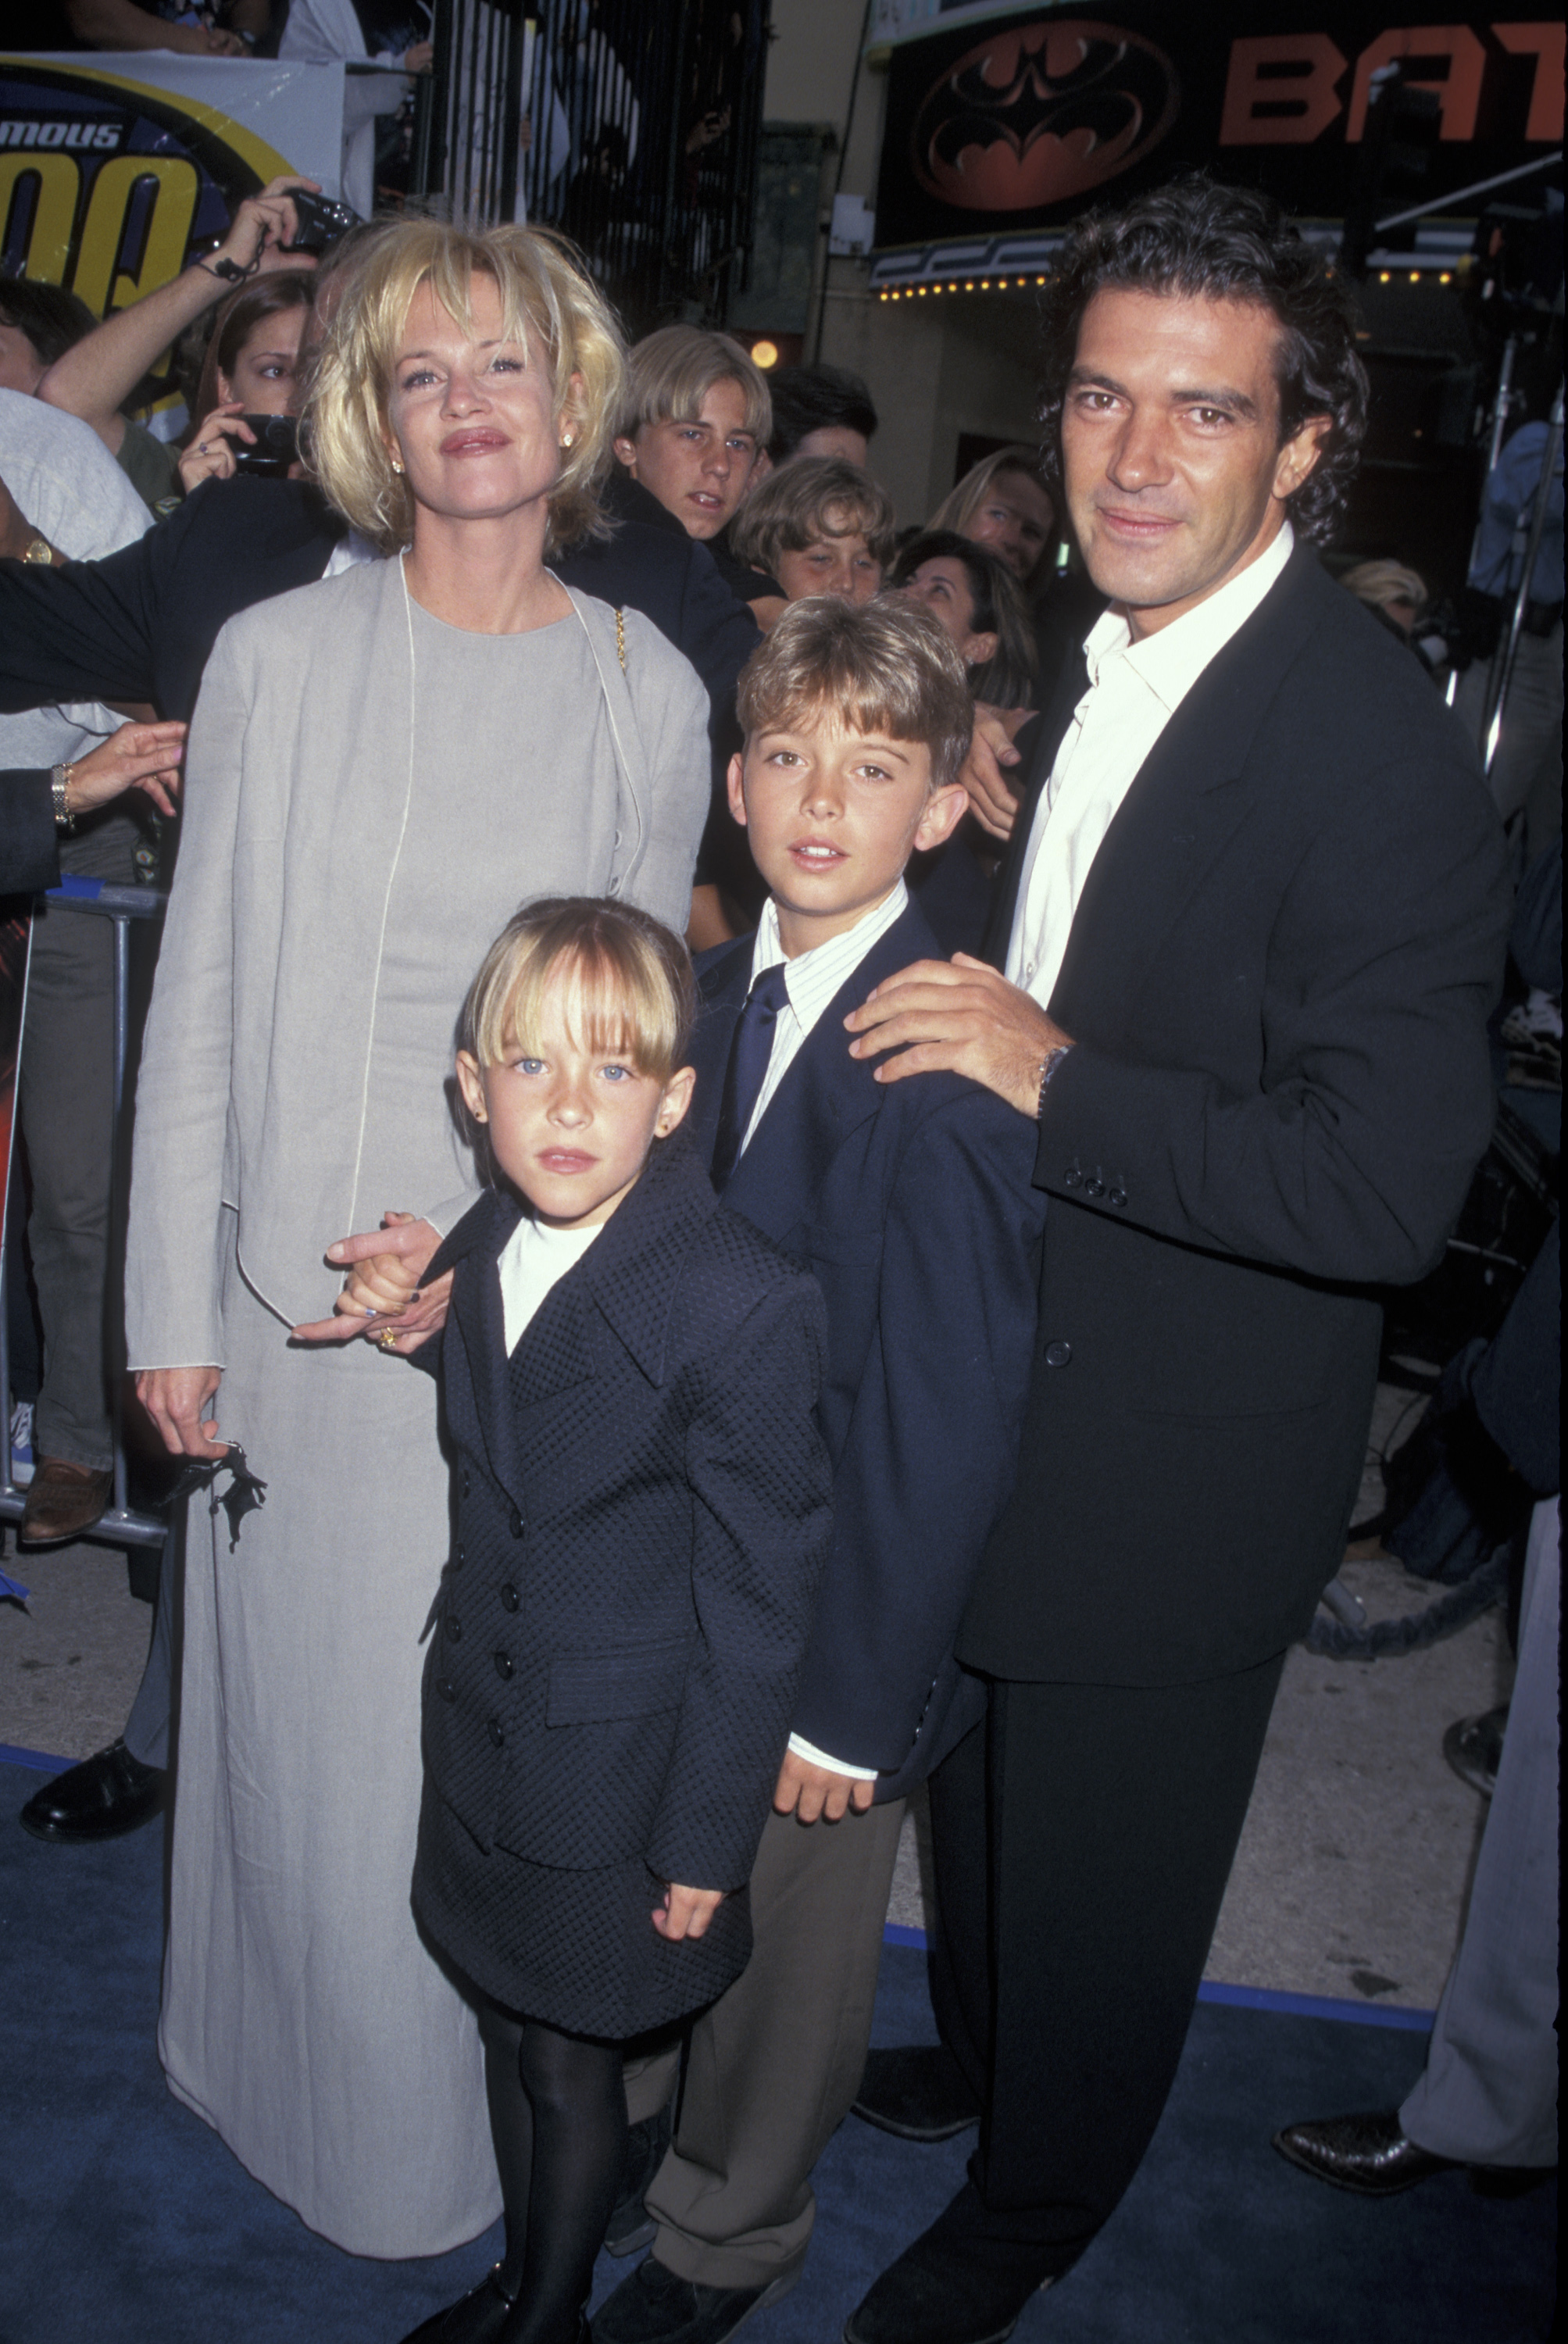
(641, 1518)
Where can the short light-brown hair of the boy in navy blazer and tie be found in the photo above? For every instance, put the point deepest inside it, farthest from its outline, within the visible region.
(873, 667)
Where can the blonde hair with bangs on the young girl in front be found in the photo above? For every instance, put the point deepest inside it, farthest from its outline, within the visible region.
(632, 974)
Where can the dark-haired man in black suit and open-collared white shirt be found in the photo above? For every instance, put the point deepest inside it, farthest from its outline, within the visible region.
(1246, 943)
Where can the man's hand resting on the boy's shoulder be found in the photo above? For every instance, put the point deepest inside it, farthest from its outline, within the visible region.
(962, 1018)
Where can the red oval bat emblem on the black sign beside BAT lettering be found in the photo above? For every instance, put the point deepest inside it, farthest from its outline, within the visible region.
(1035, 116)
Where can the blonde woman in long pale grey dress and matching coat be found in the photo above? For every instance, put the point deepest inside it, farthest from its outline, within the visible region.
(383, 768)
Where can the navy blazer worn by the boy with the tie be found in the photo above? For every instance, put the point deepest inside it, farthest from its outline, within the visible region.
(913, 1206)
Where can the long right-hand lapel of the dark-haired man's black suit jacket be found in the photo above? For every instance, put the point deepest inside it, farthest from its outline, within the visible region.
(1182, 810)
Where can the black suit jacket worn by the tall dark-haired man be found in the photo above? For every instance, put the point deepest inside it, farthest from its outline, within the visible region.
(1276, 981)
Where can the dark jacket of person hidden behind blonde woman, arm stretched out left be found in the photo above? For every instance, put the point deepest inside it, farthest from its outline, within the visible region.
(139, 625)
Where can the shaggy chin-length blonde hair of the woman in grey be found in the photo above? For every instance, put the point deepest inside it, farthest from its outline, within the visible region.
(550, 306)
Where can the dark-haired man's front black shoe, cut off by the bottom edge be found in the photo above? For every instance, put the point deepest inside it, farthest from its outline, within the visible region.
(953, 2287)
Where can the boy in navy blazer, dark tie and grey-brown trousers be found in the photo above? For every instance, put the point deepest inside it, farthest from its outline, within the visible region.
(913, 1204)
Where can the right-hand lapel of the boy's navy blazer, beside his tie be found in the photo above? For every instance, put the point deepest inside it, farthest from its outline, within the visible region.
(826, 1093)
